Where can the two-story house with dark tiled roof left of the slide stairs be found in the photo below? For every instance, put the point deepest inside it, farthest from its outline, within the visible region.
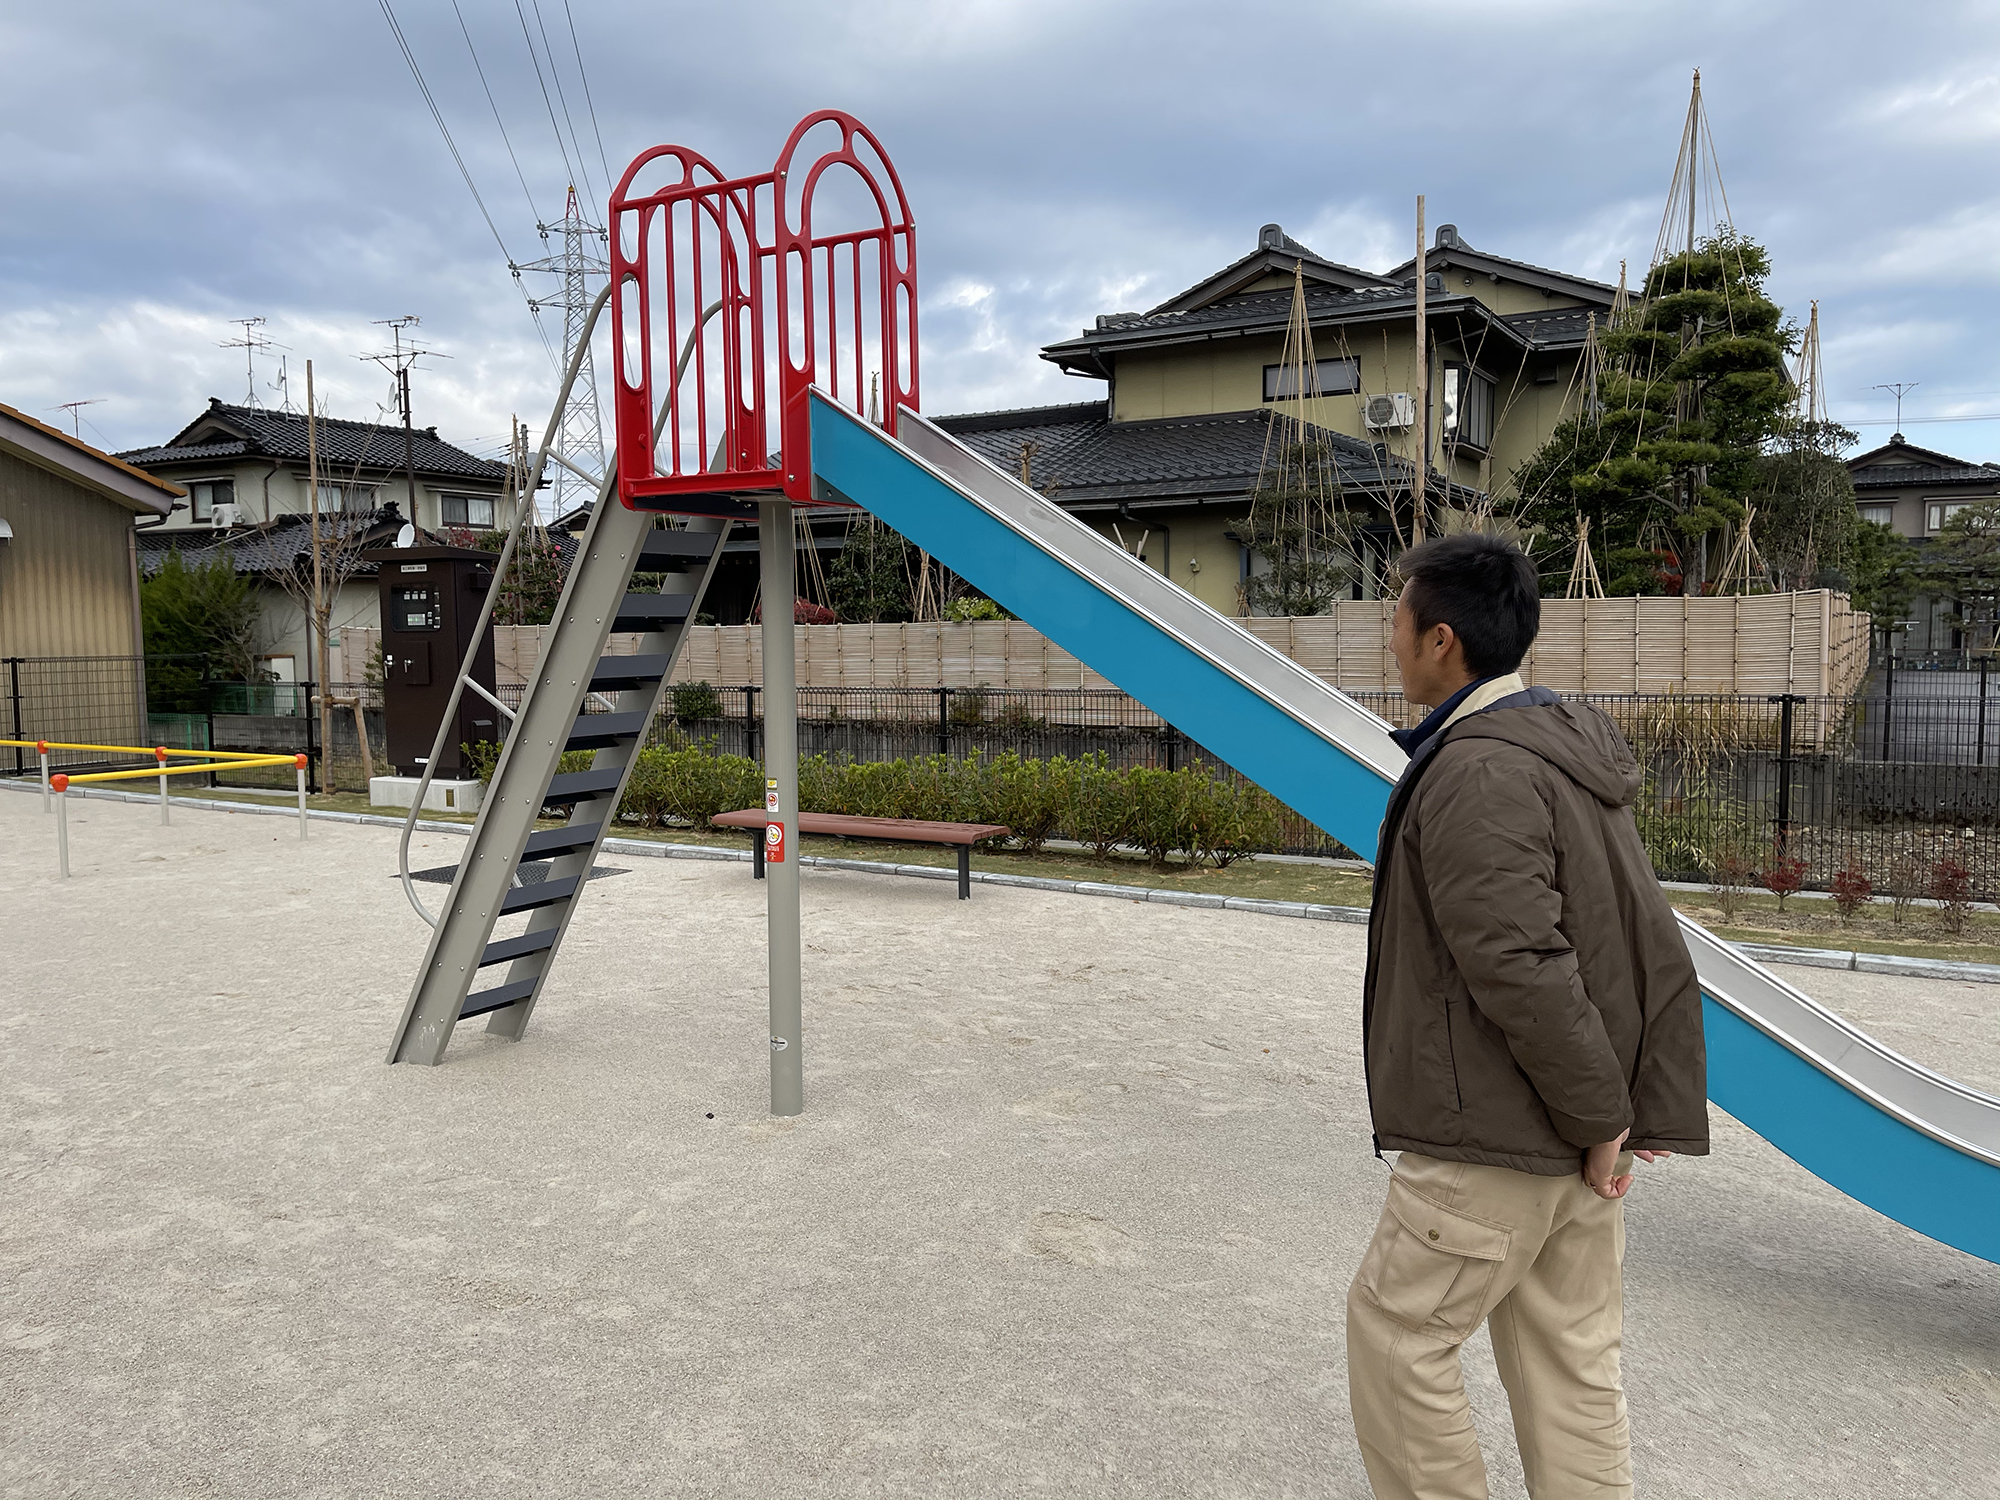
(251, 499)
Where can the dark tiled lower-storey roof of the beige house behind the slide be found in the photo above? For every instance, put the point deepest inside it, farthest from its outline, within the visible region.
(1079, 455)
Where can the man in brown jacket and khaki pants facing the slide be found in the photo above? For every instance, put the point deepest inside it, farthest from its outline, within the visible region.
(1531, 1023)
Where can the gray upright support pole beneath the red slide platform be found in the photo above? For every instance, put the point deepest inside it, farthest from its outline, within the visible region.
(777, 563)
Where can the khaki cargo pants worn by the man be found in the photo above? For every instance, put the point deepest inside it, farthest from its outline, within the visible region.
(1543, 1259)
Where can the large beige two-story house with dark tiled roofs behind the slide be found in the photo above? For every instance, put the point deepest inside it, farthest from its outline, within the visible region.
(1171, 453)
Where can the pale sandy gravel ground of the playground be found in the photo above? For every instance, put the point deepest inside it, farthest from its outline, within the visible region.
(1073, 1209)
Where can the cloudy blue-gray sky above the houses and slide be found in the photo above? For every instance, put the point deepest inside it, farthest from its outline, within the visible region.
(169, 169)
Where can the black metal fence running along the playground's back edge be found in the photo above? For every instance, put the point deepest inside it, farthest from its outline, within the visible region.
(1897, 783)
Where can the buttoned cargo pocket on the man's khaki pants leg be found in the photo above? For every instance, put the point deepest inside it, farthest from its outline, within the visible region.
(1431, 1267)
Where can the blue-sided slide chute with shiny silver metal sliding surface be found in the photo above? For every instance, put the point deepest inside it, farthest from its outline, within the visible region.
(1901, 1139)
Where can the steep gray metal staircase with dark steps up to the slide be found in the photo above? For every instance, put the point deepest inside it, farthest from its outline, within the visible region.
(555, 717)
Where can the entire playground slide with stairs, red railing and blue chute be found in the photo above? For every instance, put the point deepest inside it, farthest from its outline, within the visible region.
(755, 319)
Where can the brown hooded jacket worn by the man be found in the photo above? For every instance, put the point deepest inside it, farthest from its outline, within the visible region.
(1529, 993)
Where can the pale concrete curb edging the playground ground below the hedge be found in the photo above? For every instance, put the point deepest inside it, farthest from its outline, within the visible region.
(1919, 969)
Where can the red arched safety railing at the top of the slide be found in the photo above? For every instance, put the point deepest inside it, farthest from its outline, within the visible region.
(733, 297)
